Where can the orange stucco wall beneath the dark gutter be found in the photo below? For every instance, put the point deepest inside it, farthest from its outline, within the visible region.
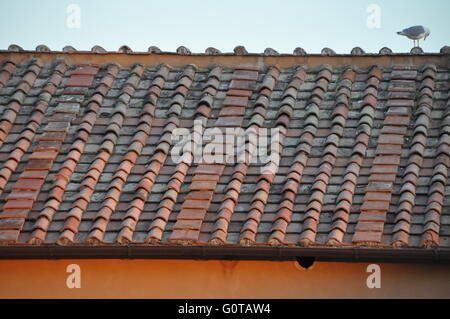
(218, 279)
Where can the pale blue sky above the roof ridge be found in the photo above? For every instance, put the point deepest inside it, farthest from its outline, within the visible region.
(198, 24)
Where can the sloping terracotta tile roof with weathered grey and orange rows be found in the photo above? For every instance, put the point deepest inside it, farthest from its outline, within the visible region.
(85, 153)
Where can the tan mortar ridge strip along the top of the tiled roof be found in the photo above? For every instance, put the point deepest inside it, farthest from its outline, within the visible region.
(231, 60)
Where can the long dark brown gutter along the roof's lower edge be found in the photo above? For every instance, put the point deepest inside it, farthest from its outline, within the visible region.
(336, 254)
